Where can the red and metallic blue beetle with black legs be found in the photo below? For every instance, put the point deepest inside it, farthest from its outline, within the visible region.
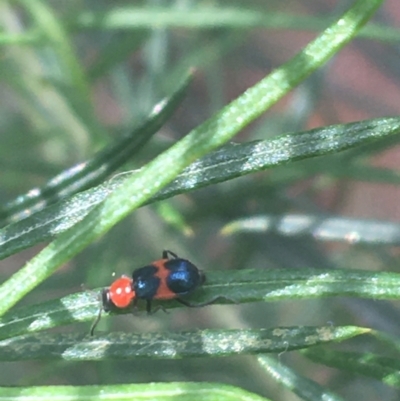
(166, 278)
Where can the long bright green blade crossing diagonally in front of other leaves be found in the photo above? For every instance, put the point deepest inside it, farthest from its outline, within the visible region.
(211, 134)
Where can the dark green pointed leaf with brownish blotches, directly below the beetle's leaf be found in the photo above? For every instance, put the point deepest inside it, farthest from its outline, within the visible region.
(169, 345)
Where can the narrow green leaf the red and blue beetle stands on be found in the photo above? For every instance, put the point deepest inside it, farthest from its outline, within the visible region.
(237, 286)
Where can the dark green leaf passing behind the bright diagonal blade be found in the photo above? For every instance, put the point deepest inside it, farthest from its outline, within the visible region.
(229, 162)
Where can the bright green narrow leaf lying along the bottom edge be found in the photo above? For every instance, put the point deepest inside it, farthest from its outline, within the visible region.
(175, 391)
